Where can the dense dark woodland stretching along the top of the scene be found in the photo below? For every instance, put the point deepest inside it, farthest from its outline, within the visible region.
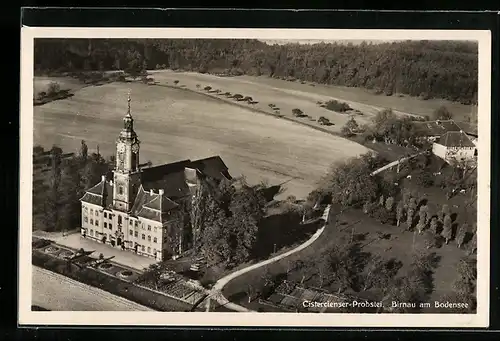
(428, 69)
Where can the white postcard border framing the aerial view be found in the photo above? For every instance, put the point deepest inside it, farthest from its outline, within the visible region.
(28, 317)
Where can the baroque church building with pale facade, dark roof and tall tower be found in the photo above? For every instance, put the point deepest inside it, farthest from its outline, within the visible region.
(143, 209)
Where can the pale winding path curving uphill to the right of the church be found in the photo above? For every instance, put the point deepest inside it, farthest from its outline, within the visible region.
(216, 291)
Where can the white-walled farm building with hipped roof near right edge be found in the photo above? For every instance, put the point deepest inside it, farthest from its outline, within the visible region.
(455, 146)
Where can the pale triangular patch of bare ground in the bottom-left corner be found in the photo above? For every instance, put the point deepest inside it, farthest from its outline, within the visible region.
(59, 293)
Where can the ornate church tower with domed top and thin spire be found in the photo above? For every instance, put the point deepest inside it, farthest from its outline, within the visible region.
(126, 175)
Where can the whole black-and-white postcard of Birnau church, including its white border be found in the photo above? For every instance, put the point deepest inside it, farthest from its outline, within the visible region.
(321, 177)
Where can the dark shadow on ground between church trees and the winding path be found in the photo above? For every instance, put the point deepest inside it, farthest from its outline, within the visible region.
(281, 230)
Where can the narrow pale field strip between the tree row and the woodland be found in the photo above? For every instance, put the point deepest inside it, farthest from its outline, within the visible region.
(289, 95)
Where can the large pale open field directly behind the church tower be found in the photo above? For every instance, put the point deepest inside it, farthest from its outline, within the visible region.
(175, 124)
